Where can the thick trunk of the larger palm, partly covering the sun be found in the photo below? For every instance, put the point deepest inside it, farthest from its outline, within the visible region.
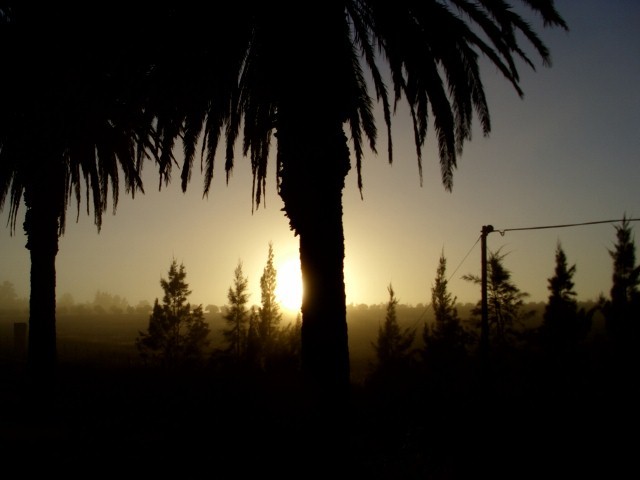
(311, 180)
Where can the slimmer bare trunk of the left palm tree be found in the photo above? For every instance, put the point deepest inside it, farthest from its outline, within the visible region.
(41, 227)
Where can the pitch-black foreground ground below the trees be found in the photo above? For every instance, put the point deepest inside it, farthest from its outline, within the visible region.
(128, 421)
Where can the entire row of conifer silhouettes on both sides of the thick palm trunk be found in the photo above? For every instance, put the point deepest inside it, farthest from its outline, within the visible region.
(254, 336)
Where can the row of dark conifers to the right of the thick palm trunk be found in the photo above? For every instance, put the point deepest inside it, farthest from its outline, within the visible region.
(564, 327)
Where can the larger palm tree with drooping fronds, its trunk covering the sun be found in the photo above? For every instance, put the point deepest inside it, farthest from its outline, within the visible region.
(300, 76)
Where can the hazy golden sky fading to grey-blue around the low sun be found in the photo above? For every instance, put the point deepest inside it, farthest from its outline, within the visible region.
(566, 153)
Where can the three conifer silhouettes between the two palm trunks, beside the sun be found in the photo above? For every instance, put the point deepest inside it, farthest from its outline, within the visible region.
(253, 336)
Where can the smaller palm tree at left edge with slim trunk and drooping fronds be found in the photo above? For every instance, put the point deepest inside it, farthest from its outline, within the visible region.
(67, 122)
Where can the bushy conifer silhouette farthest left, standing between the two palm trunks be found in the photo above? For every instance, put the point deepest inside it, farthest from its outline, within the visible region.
(177, 334)
